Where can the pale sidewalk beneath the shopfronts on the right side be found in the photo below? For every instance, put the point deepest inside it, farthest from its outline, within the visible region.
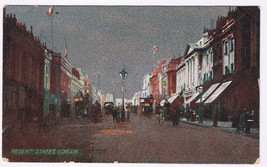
(224, 126)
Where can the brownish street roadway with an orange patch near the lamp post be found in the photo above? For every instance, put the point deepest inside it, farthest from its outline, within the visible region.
(142, 140)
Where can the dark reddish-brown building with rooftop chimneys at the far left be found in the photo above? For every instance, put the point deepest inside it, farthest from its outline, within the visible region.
(23, 70)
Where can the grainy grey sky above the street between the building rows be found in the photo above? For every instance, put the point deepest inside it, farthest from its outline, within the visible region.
(103, 40)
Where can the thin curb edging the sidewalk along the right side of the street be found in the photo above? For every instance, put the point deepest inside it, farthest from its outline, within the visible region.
(255, 136)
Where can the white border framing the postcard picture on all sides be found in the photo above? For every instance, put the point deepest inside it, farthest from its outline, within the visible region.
(263, 57)
